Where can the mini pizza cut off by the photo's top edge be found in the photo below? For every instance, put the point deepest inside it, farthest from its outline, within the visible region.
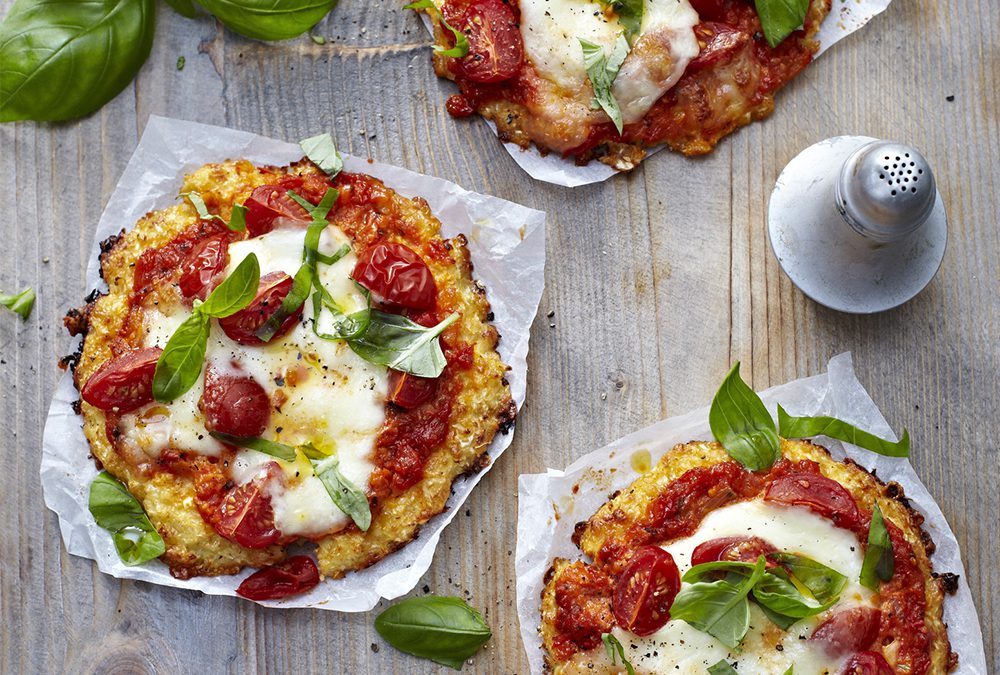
(607, 79)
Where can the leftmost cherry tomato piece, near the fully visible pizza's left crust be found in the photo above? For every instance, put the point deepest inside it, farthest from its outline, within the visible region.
(124, 383)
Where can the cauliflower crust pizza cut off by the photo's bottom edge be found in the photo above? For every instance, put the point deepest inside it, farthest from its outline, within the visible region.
(801, 526)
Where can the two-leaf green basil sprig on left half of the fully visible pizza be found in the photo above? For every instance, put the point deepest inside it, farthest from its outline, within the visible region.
(180, 363)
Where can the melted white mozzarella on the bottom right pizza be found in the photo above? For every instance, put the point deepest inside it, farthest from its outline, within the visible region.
(680, 648)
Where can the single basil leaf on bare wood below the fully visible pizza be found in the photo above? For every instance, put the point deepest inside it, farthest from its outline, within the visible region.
(444, 630)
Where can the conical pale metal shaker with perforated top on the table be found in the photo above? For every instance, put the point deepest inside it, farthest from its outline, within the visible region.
(858, 224)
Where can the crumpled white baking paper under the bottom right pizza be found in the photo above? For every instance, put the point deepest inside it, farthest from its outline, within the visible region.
(542, 536)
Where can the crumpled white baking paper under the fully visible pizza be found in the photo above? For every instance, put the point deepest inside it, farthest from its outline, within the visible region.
(507, 243)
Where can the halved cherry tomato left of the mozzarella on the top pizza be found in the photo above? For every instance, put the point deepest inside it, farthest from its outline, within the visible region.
(496, 48)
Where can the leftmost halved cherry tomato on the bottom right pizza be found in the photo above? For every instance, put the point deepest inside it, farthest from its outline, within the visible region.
(645, 591)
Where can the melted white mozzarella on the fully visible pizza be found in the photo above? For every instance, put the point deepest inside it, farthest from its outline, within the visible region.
(321, 391)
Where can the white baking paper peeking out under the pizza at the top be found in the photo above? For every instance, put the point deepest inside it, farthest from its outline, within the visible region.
(844, 18)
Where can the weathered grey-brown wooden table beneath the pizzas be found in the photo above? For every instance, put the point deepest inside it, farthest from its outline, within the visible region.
(658, 280)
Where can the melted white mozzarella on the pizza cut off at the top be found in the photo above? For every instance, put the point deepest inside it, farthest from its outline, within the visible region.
(551, 30)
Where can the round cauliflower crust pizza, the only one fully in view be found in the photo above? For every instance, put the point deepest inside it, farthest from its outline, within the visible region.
(312, 395)
